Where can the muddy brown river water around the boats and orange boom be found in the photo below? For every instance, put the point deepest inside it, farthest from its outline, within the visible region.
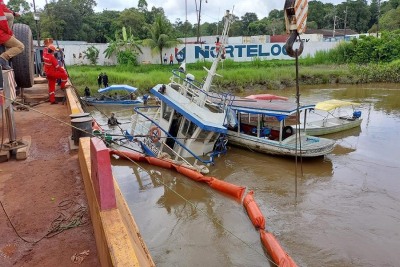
(346, 213)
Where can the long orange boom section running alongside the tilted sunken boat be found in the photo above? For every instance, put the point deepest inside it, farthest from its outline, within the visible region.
(222, 186)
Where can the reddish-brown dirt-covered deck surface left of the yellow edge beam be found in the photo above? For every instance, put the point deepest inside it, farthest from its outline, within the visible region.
(41, 189)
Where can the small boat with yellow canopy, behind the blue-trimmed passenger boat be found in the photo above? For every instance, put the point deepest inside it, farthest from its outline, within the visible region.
(333, 121)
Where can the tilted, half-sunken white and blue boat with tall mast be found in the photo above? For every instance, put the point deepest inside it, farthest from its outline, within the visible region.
(183, 127)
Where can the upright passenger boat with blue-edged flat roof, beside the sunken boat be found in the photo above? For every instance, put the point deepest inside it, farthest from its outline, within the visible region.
(261, 126)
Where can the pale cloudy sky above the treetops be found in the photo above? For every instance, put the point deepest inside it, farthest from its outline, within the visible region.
(211, 11)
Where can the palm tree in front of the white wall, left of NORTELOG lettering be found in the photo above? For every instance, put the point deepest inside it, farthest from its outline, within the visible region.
(160, 36)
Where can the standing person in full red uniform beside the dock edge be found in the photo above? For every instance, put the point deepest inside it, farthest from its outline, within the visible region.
(53, 72)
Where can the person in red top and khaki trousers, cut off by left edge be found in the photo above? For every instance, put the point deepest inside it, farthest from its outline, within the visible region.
(15, 47)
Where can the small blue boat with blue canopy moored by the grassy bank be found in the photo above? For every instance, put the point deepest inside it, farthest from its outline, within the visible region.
(115, 95)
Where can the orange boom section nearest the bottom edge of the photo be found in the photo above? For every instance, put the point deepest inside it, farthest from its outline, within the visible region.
(275, 251)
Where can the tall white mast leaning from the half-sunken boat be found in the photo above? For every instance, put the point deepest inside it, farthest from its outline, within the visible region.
(221, 53)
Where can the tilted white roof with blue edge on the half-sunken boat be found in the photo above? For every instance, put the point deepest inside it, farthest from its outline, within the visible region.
(190, 111)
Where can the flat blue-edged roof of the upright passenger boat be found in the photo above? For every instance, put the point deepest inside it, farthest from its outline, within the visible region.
(278, 109)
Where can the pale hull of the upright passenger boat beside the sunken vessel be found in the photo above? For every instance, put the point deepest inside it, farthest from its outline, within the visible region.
(310, 146)
